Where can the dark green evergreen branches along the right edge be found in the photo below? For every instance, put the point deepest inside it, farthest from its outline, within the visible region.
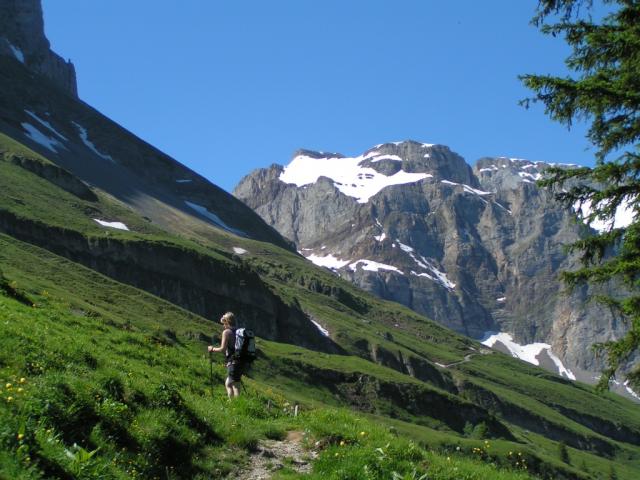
(604, 92)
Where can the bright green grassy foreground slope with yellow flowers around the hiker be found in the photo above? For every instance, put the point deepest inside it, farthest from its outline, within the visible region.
(122, 373)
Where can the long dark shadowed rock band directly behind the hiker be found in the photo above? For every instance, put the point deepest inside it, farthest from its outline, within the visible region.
(196, 282)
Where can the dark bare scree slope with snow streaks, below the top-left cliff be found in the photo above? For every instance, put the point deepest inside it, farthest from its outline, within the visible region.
(104, 155)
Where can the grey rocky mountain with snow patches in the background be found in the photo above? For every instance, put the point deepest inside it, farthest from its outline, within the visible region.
(478, 250)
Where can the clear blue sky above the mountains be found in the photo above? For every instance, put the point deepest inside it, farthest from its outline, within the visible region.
(229, 86)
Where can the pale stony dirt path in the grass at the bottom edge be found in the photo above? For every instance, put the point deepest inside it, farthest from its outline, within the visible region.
(273, 455)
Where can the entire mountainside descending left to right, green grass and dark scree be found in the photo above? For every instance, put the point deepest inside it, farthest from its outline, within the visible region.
(116, 262)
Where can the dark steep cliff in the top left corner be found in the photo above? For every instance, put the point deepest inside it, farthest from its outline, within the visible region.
(22, 37)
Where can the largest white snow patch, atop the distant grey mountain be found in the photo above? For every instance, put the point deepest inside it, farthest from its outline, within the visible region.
(349, 177)
